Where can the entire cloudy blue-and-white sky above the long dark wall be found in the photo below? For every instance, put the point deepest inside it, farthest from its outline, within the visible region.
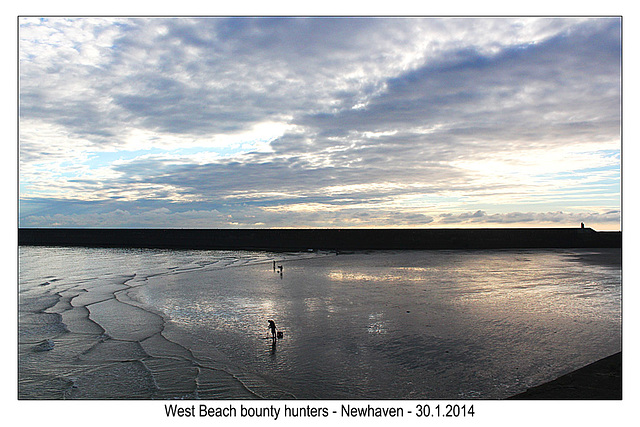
(319, 122)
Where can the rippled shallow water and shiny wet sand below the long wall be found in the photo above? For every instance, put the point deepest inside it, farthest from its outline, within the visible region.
(114, 323)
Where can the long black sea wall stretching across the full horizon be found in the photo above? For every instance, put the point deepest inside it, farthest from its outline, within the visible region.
(323, 239)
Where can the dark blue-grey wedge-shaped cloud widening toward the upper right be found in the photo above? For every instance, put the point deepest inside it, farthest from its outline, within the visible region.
(563, 87)
